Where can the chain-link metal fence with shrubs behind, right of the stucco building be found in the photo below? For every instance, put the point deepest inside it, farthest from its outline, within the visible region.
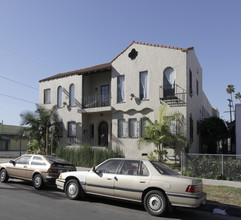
(212, 166)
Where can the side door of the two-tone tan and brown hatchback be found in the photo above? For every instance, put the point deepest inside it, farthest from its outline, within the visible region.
(19, 167)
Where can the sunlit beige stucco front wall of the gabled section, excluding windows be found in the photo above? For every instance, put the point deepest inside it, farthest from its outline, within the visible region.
(154, 60)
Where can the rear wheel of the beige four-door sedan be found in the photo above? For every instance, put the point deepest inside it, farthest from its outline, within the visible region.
(155, 203)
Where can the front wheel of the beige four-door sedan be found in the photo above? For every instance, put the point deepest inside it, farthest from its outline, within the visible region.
(73, 189)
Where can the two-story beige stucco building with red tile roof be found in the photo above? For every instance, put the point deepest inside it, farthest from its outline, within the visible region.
(103, 105)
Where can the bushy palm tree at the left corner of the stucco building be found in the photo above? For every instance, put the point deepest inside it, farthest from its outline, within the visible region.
(38, 124)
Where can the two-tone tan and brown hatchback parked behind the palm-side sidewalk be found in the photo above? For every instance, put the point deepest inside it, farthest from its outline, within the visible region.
(39, 169)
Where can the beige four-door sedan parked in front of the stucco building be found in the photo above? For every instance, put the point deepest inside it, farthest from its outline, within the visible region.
(151, 183)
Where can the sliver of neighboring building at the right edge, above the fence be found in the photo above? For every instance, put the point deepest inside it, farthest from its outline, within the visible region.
(238, 128)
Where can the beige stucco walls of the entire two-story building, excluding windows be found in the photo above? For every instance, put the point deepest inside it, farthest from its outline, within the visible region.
(152, 59)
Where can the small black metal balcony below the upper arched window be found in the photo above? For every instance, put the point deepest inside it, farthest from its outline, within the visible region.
(173, 95)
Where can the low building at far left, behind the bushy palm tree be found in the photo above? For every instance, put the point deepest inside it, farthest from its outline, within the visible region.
(9, 141)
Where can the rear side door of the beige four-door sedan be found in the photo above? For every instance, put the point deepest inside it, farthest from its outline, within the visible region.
(132, 179)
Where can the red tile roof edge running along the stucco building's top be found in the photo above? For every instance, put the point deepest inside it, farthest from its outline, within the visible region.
(107, 66)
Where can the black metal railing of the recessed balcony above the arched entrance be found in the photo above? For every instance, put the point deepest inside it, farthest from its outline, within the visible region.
(95, 101)
